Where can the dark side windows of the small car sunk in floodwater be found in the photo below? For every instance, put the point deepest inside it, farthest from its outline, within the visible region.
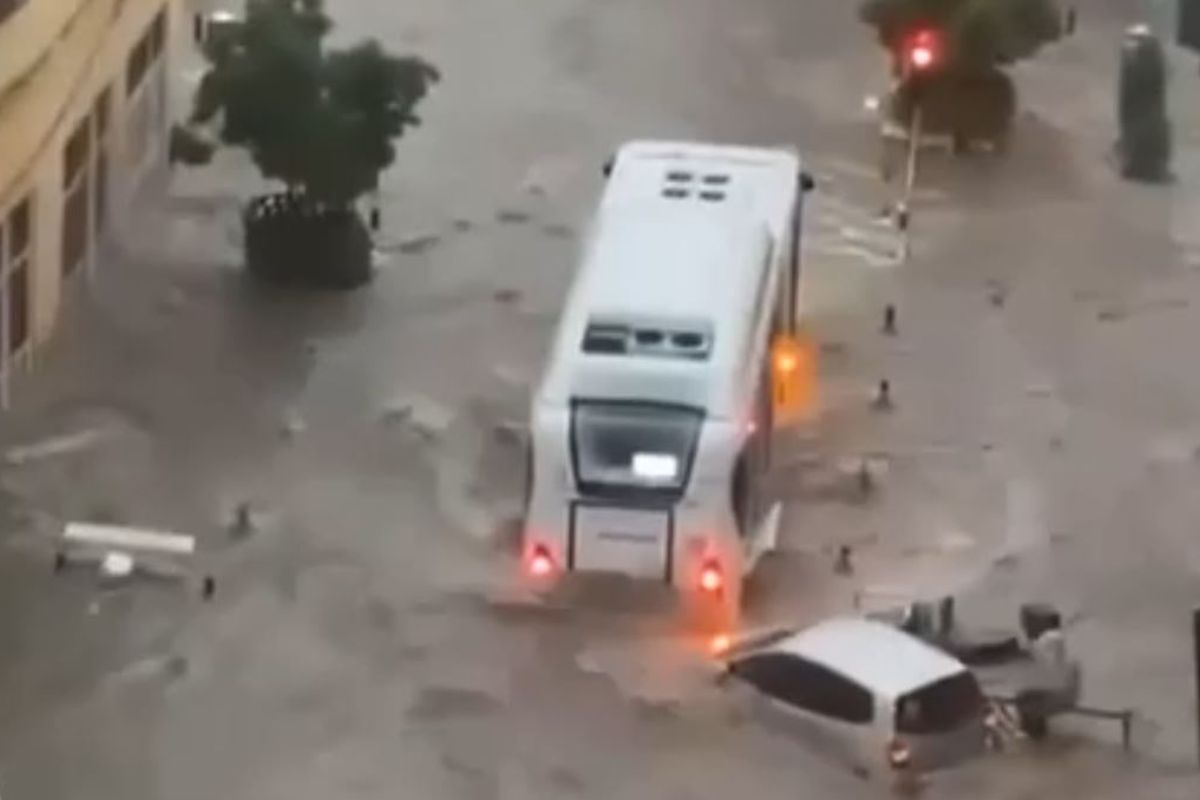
(807, 685)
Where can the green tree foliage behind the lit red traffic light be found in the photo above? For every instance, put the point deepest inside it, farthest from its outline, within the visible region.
(979, 35)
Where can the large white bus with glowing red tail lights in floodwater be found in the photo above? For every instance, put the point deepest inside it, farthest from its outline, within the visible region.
(651, 428)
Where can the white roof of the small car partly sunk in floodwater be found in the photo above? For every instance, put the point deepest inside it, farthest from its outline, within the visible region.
(878, 657)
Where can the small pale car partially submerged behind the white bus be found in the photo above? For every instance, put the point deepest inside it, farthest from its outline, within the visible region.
(865, 694)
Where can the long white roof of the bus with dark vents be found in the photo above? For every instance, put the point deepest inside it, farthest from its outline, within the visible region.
(681, 244)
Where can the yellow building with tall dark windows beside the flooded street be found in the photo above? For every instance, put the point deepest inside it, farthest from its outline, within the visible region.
(83, 121)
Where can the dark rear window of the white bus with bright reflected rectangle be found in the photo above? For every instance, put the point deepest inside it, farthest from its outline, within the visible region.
(619, 446)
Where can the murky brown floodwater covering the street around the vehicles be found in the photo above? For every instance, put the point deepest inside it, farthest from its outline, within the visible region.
(356, 647)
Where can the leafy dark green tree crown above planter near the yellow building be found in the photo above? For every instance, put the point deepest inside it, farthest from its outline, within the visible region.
(321, 122)
